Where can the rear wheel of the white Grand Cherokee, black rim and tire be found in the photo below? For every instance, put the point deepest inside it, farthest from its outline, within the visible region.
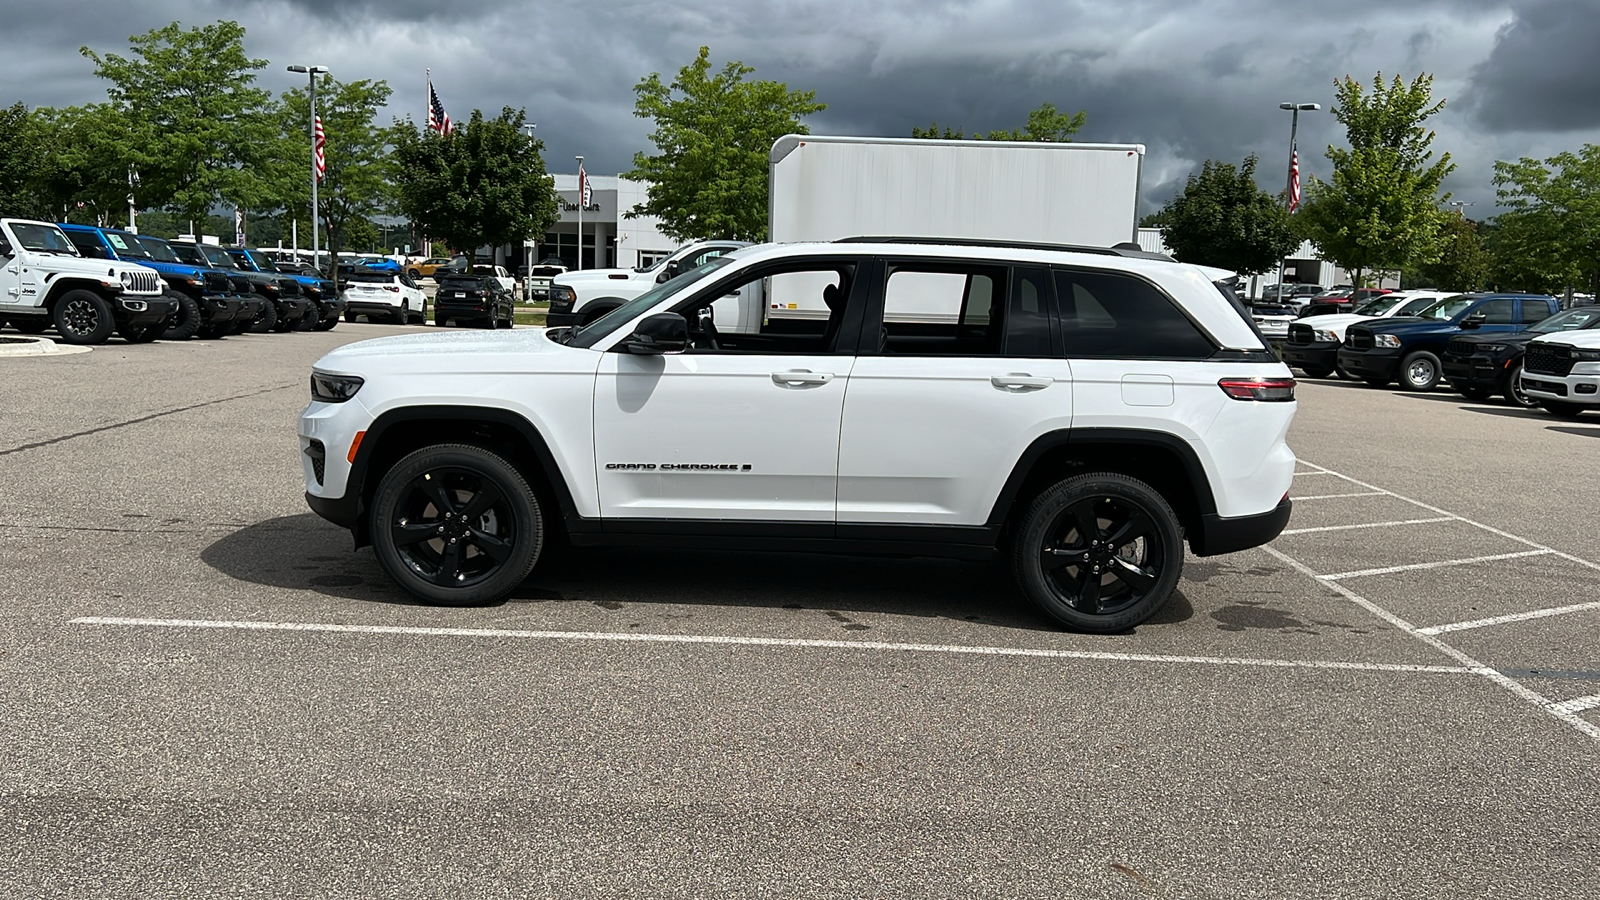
(1063, 553)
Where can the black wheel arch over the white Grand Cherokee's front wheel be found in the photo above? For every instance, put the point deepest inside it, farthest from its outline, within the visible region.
(503, 432)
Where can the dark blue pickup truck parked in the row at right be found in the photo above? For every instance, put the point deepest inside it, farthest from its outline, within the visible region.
(1410, 350)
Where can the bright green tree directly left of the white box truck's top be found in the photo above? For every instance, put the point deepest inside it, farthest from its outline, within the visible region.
(713, 139)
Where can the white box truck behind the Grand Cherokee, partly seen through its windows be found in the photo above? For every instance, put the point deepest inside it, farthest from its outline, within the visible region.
(833, 188)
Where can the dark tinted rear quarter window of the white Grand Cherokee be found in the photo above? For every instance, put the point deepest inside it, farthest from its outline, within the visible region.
(1114, 316)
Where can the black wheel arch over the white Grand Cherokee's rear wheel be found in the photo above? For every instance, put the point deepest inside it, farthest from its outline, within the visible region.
(1162, 460)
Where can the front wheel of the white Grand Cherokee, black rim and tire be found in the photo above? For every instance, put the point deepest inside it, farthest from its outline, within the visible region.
(470, 561)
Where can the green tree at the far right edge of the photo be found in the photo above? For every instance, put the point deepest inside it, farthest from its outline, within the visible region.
(1551, 220)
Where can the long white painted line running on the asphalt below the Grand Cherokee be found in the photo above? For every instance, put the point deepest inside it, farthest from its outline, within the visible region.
(802, 643)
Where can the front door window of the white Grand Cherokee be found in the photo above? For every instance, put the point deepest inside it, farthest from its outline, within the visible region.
(794, 311)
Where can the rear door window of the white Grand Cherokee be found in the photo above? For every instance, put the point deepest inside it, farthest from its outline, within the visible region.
(945, 310)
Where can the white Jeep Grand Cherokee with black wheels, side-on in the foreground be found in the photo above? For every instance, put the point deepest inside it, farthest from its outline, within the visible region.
(1082, 412)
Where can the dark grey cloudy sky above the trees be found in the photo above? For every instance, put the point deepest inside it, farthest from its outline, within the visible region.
(1191, 81)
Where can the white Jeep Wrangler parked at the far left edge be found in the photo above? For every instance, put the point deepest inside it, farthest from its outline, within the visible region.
(44, 281)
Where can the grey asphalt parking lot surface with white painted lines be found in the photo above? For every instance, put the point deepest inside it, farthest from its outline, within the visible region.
(209, 694)
